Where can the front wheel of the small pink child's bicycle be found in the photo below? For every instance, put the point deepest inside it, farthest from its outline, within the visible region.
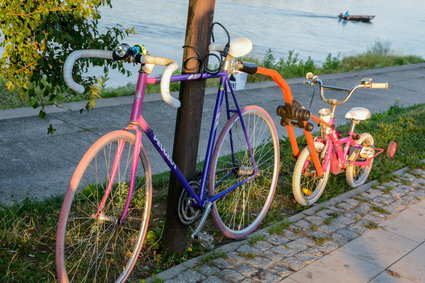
(307, 187)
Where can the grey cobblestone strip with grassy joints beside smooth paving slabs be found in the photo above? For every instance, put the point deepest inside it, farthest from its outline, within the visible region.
(277, 252)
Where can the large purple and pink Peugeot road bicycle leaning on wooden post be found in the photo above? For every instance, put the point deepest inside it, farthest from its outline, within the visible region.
(105, 212)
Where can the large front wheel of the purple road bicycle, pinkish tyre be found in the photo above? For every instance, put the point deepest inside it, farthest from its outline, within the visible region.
(91, 243)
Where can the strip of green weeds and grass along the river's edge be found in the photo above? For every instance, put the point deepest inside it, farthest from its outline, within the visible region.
(379, 55)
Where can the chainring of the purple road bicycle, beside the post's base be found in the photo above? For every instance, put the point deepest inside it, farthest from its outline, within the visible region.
(188, 214)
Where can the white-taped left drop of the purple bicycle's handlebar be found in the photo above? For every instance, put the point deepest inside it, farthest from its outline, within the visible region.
(74, 56)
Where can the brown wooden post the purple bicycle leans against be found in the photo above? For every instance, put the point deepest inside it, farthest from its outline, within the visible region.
(188, 122)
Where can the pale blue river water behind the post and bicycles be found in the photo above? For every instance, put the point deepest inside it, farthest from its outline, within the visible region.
(310, 28)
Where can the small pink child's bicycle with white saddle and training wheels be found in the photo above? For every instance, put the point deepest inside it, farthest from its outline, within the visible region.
(353, 154)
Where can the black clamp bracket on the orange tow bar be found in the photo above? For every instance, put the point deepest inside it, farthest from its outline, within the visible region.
(294, 114)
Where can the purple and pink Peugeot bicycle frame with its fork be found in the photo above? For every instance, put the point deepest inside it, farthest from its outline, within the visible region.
(137, 119)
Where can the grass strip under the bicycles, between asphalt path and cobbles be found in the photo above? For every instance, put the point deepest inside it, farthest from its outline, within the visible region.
(27, 229)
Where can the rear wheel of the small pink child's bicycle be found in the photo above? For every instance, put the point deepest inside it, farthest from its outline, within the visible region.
(357, 175)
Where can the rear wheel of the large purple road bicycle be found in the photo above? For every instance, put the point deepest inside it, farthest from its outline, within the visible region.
(241, 210)
